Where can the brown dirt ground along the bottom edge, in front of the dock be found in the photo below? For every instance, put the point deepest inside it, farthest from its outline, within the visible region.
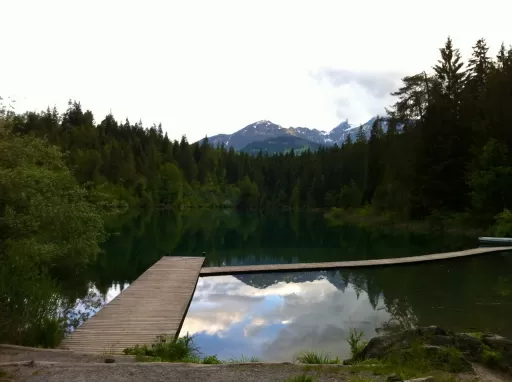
(29, 364)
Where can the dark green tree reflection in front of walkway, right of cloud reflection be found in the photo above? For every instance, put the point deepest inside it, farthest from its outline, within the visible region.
(465, 294)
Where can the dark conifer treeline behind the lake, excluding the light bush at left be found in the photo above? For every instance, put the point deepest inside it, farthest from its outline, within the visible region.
(450, 154)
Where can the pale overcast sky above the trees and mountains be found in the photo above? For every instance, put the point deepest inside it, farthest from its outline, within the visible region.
(208, 67)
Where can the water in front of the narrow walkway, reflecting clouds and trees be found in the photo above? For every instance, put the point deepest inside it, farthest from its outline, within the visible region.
(275, 316)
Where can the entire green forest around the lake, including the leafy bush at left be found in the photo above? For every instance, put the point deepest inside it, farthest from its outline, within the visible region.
(446, 151)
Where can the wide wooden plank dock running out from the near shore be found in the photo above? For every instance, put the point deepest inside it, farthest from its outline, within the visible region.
(154, 304)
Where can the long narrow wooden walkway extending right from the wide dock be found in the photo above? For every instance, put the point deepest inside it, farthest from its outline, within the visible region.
(215, 271)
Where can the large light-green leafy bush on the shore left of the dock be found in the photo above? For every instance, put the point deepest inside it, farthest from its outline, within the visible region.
(50, 228)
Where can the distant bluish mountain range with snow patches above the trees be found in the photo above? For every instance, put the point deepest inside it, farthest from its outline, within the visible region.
(269, 137)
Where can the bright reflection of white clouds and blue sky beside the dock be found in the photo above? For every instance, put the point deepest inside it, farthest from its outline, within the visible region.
(277, 321)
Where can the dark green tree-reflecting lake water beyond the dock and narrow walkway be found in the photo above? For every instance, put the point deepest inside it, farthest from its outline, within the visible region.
(229, 237)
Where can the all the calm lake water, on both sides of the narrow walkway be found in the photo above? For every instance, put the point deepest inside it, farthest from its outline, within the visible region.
(275, 316)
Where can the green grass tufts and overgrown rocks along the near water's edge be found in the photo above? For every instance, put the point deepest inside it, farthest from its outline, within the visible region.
(444, 363)
